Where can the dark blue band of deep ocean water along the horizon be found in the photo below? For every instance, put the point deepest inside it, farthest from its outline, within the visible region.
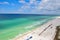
(12, 16)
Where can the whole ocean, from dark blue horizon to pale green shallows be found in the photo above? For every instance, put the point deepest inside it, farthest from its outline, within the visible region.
(13, 24)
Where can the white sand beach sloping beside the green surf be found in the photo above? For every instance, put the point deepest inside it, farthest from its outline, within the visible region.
(45, 32)
